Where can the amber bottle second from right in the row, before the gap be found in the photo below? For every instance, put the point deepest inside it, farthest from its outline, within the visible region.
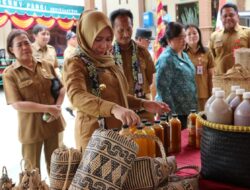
(164, 123)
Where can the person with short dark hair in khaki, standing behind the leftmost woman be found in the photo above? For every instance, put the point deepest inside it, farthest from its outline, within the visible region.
(42, 51)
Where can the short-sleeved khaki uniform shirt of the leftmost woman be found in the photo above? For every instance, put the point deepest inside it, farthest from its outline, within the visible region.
(21, 84)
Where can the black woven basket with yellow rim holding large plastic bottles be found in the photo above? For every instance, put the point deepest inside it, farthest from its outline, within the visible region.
(225, 153)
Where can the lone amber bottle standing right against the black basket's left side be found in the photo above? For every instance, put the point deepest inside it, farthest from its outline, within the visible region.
(191, 122)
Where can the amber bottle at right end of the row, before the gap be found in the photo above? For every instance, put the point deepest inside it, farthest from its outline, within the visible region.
(175, 137)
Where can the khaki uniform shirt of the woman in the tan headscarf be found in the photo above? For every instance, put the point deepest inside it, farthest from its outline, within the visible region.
(88, 106)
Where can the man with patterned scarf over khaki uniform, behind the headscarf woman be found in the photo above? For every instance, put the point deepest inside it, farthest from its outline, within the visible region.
(135, 59)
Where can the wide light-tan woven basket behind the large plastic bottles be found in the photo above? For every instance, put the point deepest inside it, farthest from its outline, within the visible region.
(237, 75)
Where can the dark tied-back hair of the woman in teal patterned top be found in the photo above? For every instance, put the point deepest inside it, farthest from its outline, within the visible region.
(173, 30)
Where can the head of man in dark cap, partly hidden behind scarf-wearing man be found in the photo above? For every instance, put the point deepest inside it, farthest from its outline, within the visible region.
(143, 37)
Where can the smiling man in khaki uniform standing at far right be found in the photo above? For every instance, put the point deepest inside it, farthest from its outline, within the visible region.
(225, 41)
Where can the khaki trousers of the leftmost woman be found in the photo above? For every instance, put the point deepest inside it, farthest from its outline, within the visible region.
(32, 152)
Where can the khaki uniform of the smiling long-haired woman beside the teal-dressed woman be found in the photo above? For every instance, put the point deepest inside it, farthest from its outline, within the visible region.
(205, 60)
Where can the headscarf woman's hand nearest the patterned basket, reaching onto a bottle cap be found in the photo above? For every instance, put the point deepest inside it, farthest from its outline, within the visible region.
(126, 116)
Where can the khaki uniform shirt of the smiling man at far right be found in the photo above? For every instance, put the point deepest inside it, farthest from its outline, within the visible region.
(222, 45)
